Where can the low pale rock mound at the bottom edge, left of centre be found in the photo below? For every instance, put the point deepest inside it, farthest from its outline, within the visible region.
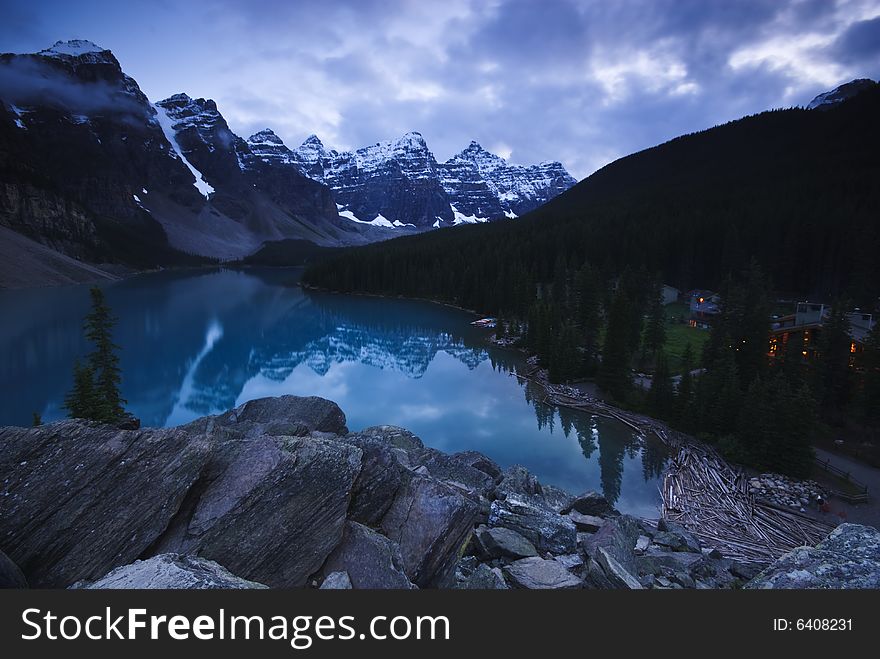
(172, 571)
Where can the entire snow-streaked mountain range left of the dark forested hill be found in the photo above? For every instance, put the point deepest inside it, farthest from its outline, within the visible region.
(95, 178)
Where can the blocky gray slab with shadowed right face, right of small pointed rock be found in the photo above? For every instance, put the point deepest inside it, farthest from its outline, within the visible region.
(431, 523)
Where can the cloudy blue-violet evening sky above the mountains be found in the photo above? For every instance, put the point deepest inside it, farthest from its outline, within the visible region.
(579, 81)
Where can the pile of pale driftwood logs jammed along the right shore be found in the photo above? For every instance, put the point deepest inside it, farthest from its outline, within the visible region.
(702, 491)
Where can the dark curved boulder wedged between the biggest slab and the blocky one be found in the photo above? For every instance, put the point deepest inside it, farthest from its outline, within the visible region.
(378, 480)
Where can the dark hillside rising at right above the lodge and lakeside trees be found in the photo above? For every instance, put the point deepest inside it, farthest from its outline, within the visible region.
(795, 191)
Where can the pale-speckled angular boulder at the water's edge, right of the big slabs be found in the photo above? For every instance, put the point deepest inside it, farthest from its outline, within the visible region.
(546, 530)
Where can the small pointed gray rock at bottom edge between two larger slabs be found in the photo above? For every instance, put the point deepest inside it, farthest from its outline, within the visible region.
(369, 558)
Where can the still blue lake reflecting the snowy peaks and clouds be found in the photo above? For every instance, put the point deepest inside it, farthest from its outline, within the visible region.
(201, 342)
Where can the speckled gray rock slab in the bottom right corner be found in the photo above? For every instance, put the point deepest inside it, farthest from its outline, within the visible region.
(848, 558)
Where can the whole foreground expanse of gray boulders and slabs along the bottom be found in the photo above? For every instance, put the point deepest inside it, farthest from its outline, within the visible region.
(278, 492)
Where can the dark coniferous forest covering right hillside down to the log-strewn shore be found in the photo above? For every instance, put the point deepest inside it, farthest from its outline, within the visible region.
(784, 204)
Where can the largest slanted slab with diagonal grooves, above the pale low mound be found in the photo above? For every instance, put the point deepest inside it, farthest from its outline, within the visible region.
(274, 512)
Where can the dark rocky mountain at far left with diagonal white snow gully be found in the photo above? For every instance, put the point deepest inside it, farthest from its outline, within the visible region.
(90, 168)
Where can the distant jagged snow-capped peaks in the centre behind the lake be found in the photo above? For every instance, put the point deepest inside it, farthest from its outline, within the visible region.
(399, 183)
